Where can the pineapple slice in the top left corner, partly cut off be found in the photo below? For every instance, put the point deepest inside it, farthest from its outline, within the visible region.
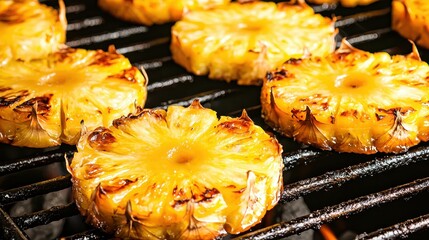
(30, 30)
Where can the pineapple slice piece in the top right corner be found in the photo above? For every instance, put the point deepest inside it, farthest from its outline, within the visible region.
(409, 18)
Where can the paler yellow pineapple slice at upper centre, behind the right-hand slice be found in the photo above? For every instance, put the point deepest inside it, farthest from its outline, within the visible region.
(242, 41)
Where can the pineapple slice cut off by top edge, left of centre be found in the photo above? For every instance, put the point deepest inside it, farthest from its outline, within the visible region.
(149, 12)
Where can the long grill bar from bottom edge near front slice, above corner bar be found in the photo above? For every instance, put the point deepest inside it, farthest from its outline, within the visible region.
(328, 214)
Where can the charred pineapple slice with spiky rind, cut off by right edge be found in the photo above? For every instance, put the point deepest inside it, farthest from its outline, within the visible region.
(350, 101)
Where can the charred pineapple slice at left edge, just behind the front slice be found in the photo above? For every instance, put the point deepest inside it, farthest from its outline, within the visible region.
(43, 102)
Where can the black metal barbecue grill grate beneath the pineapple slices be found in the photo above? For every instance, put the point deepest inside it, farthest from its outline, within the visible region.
(378, 197)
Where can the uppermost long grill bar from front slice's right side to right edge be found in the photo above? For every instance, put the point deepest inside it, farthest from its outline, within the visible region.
(338, 177)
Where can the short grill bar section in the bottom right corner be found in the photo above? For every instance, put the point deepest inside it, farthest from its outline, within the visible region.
(400, 230)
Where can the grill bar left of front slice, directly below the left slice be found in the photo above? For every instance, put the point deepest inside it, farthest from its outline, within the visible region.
(32, 162)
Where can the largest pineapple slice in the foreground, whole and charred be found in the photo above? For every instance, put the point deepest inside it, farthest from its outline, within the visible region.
(177, 174)
